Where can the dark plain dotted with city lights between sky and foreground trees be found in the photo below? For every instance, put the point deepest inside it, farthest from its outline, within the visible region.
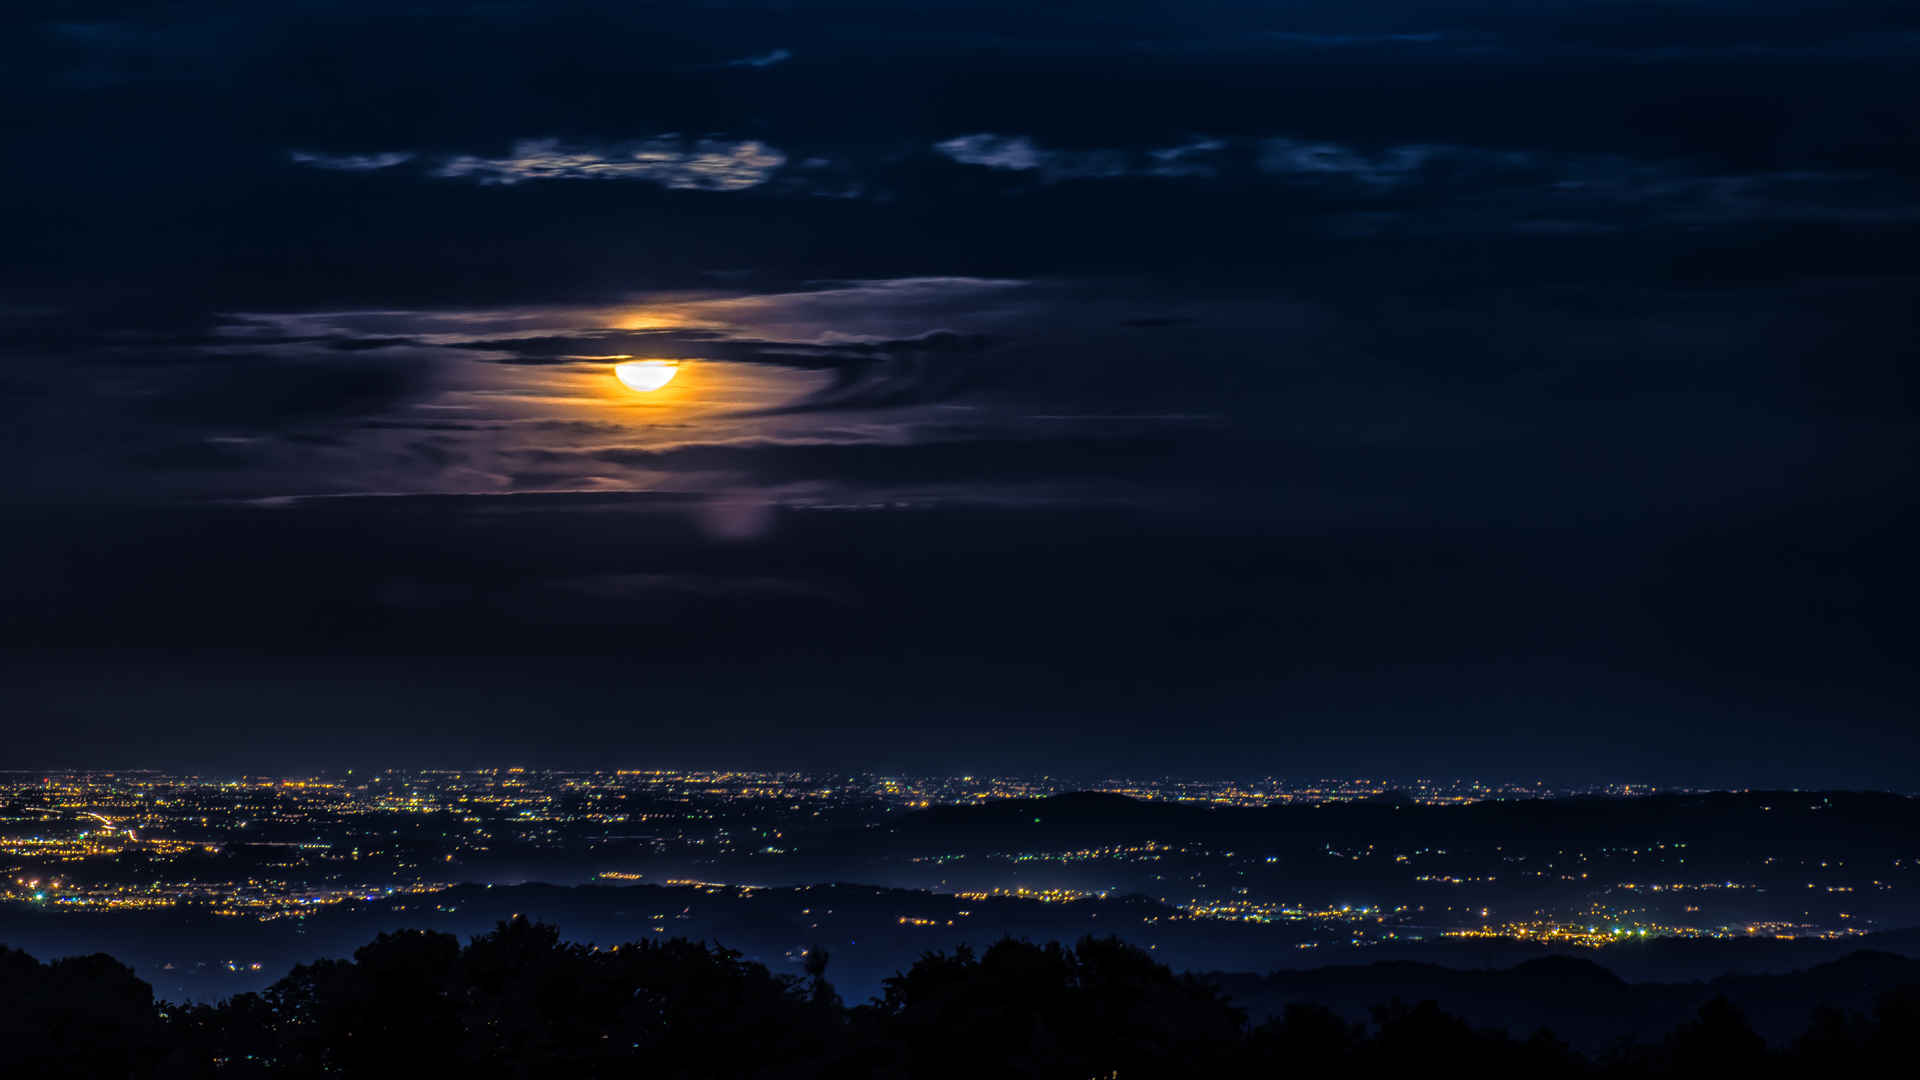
(245, 871)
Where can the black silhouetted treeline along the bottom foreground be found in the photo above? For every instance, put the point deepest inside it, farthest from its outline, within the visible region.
(519, 1002)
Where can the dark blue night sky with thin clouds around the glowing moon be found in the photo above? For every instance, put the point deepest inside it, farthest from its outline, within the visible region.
(1234, 389)
